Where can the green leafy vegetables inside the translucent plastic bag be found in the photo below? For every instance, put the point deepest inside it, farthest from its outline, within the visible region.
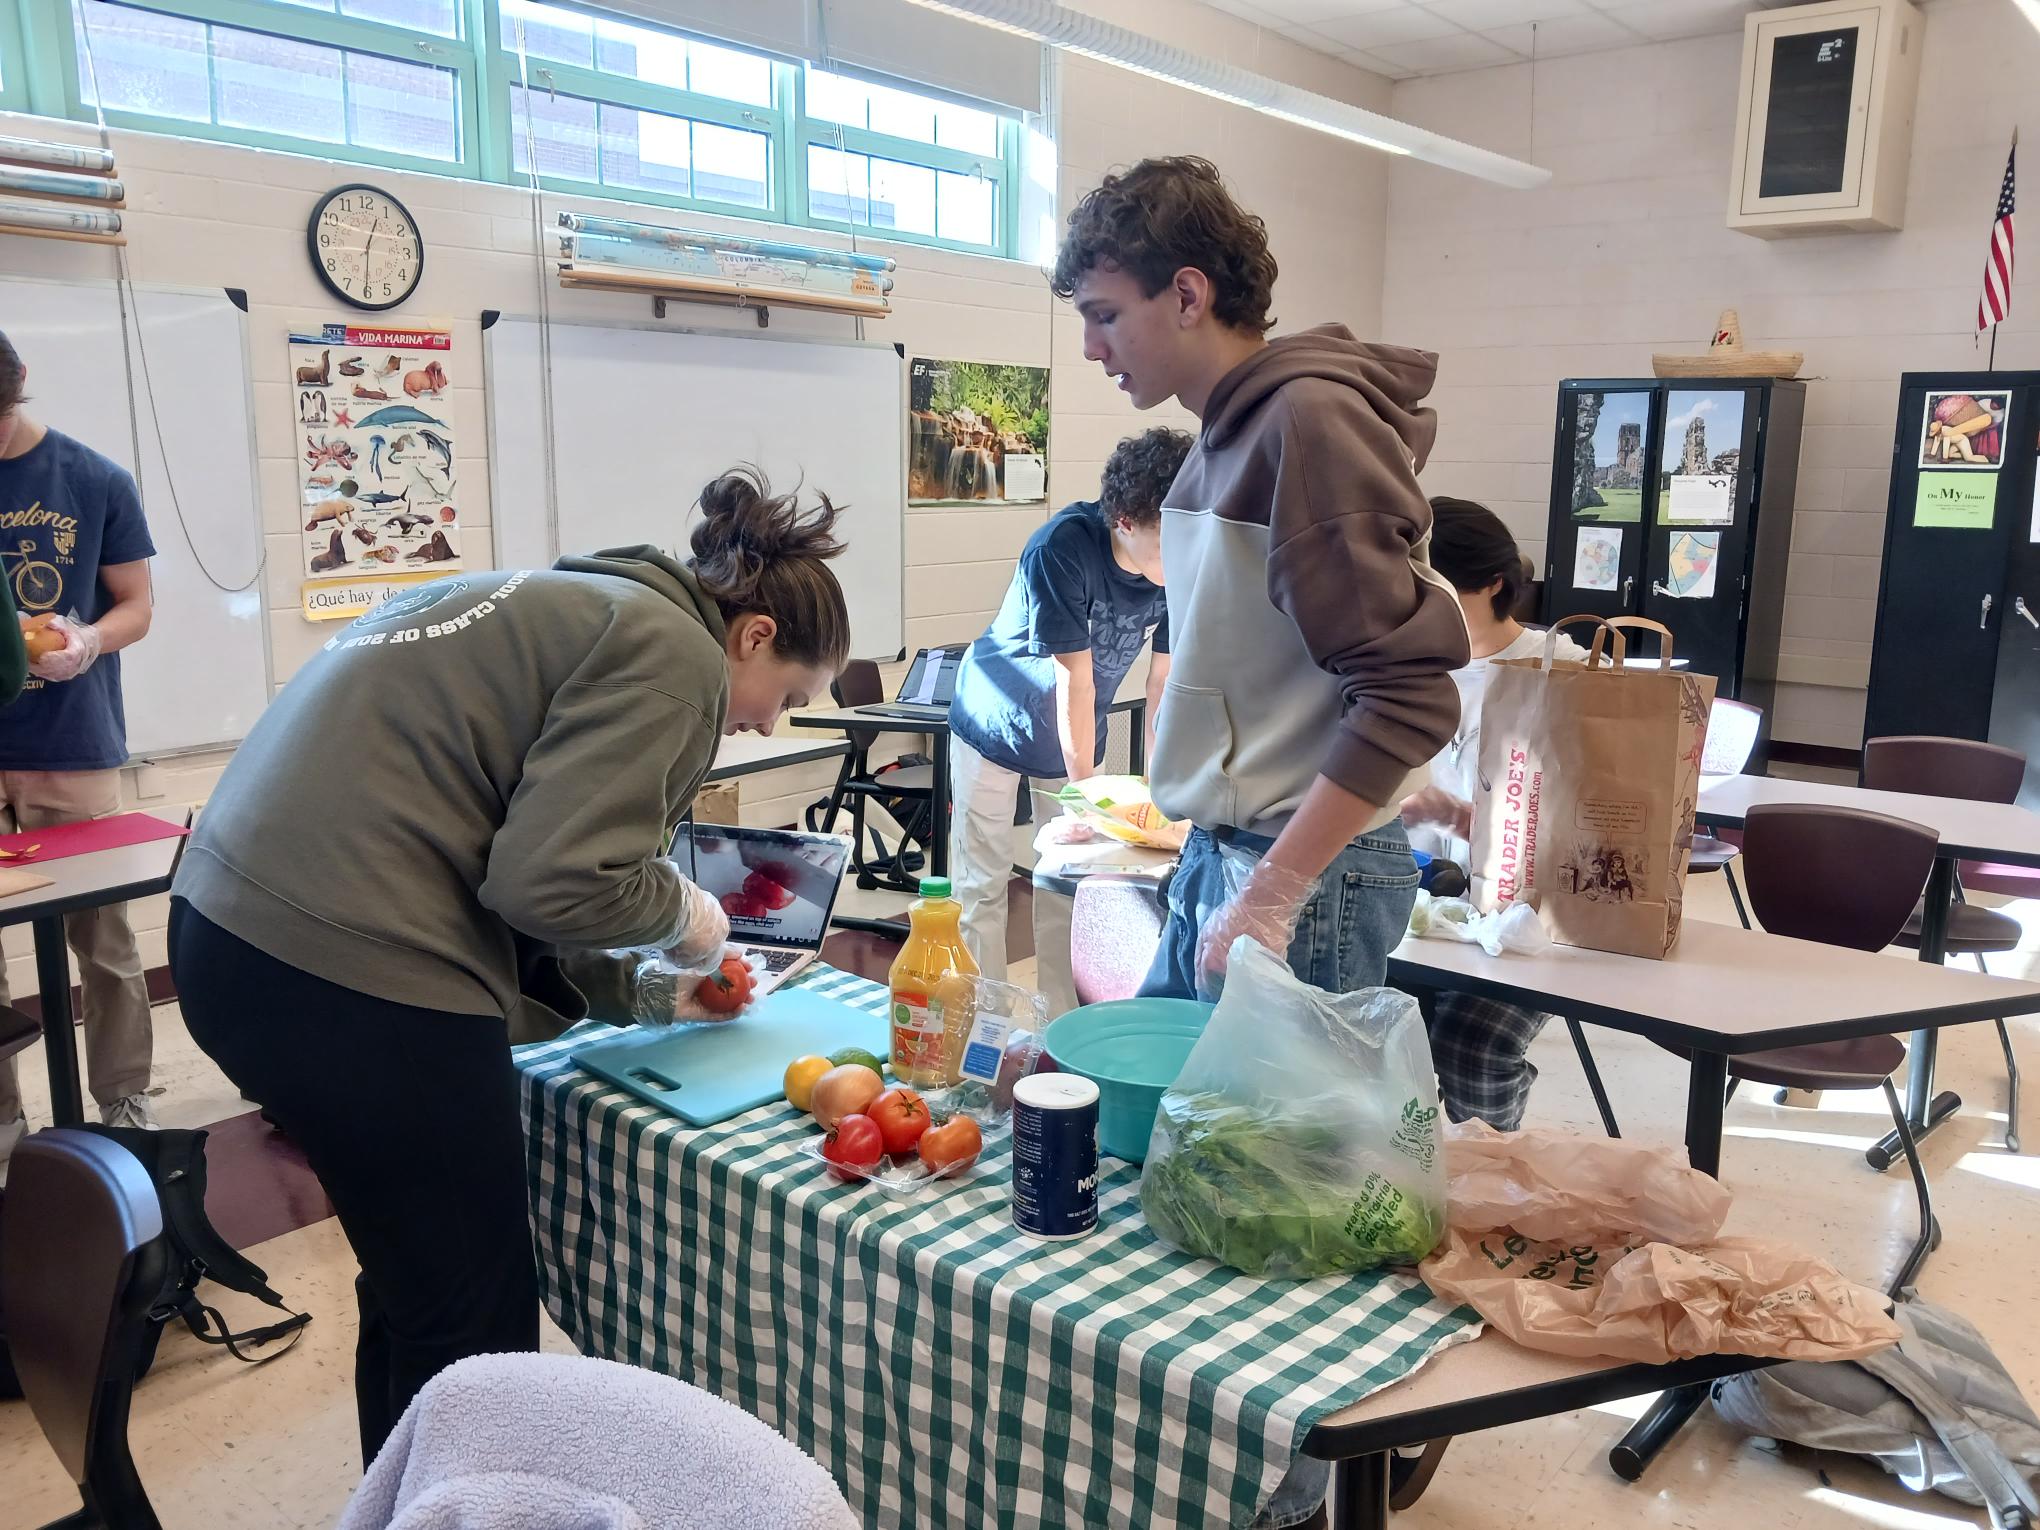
(1276, 1196)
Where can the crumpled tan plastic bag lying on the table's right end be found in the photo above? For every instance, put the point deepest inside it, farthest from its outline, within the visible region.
(1574, 1245)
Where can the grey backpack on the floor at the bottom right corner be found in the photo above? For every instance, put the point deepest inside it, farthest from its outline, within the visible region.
(1937, 1411)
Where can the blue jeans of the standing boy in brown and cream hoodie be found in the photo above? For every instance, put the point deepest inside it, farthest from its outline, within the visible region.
(1343, 941)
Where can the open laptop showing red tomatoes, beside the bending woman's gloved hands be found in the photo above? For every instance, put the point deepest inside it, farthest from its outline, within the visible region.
(776, 886)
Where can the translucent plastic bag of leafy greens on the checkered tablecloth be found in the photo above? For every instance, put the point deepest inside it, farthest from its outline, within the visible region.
(1303, 1135)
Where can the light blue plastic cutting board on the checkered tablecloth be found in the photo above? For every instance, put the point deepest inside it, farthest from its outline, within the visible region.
(711, 1072)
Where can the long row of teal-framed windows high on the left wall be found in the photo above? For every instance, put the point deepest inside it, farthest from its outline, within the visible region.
(507, 89)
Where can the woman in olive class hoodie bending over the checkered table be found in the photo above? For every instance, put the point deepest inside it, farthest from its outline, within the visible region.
(468, 778)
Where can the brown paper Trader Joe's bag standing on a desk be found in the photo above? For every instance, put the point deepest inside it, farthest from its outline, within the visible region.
(1588, 782)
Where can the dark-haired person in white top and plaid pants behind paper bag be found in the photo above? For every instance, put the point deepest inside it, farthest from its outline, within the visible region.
(1480, 1045)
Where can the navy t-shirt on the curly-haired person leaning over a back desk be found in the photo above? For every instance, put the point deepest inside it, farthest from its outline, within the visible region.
(1068, 595)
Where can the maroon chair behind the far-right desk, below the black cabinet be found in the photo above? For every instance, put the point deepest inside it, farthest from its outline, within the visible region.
(1976, 772)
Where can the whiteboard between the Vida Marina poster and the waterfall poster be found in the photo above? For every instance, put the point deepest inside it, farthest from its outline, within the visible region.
(646, 417)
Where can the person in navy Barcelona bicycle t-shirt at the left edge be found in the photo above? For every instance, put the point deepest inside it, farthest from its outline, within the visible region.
(74, 548)
